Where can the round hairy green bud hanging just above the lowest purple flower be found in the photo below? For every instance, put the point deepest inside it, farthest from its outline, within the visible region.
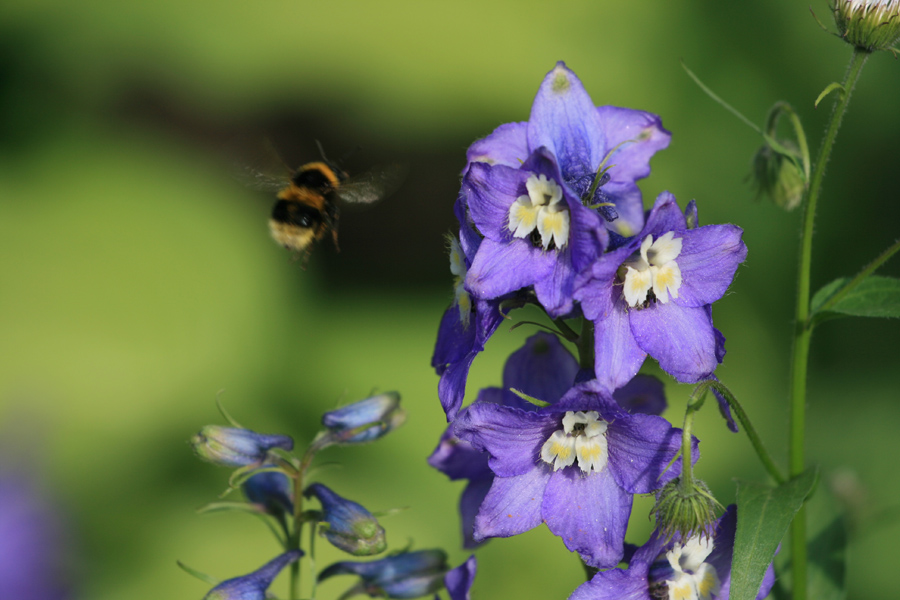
(687, 510)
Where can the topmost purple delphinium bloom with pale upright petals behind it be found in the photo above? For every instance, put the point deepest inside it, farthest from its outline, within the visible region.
(528, 188)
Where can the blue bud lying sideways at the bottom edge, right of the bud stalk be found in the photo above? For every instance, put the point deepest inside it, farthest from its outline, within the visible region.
(407, 575)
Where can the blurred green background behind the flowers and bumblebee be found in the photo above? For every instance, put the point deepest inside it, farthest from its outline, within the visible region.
(137, 279)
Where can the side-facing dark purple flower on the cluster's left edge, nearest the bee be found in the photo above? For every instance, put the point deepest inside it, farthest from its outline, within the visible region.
(466, 325)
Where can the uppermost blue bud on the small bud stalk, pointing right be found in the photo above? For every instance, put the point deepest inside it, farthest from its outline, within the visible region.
(366, 420)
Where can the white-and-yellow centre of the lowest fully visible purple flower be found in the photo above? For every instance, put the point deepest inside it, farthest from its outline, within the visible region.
(582, 438)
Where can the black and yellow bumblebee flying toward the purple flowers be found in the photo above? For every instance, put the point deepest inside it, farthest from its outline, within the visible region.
(308, 198)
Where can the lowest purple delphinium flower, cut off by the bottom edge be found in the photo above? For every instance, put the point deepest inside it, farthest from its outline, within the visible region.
(694, 569)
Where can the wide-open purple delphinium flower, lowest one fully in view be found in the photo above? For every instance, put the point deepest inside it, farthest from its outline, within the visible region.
(574, 464)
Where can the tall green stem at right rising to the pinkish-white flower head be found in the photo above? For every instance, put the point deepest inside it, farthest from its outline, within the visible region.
(803, 331)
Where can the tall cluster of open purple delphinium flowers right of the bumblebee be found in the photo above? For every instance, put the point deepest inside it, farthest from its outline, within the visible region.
(550, 214)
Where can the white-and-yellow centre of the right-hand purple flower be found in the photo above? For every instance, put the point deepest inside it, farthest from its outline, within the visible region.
(654, 268)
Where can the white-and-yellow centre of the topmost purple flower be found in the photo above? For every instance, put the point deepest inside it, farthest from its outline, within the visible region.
(542, 209)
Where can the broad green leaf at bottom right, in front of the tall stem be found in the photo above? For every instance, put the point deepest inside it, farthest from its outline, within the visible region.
(764, 514)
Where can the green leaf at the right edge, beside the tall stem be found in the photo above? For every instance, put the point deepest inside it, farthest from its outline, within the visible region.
(874, 296)
